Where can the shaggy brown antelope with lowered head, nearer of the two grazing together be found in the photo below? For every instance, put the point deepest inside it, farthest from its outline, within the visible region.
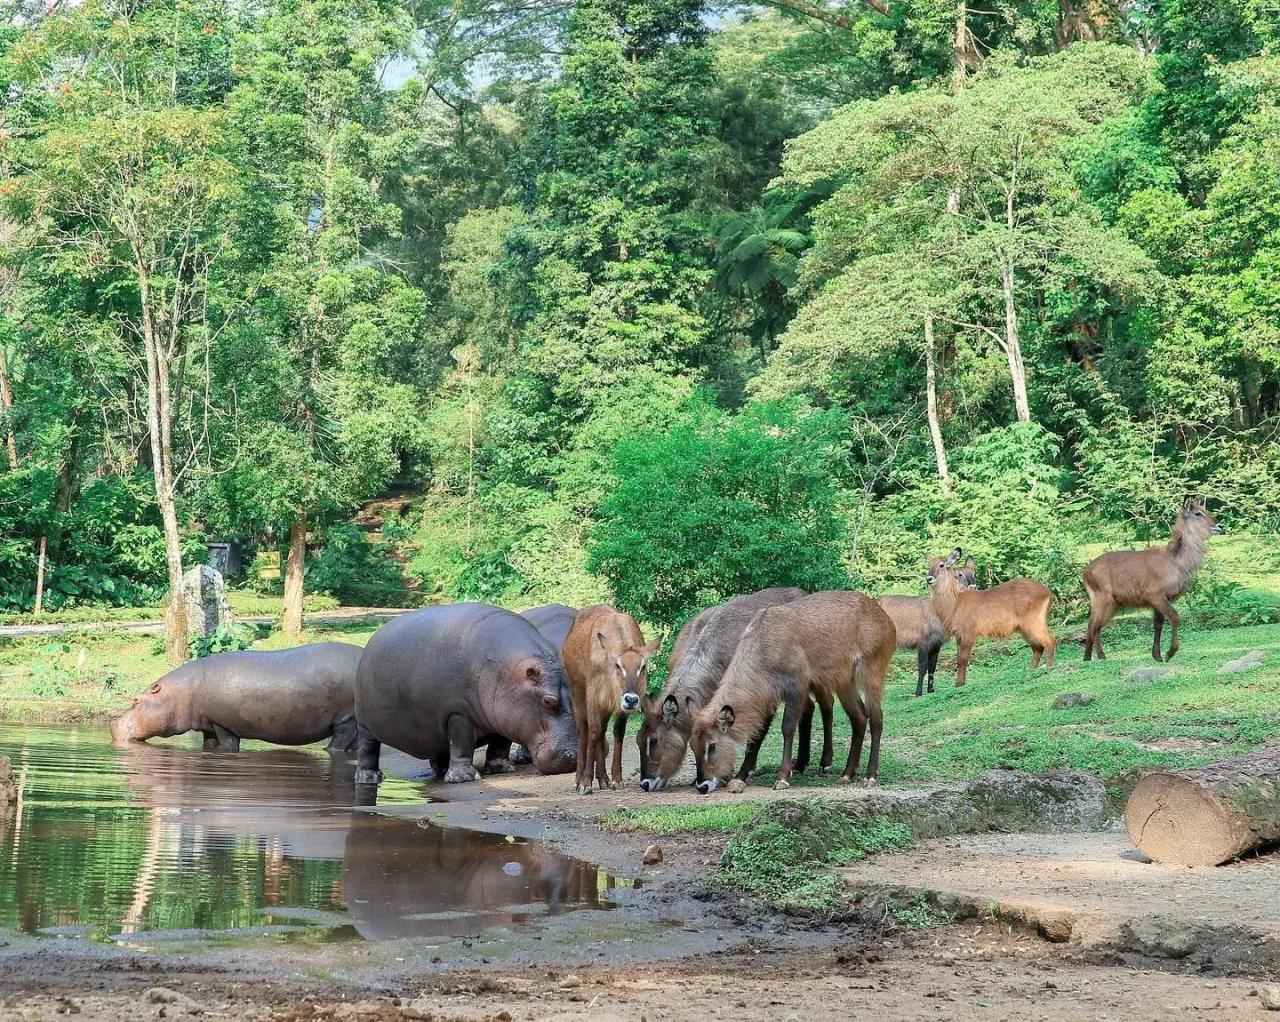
(835, 645)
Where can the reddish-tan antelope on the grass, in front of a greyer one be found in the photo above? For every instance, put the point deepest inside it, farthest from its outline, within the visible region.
(972, 614)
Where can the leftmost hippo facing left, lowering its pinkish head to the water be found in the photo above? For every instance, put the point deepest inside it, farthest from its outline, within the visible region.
(291, 697)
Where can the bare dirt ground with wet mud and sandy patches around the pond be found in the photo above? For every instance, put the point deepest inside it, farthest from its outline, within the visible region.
(669, 952)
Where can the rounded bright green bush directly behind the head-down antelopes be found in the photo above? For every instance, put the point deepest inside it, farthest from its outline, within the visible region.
(719, 507)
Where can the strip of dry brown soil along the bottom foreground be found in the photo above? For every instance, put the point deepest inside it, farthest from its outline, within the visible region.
(967, 973)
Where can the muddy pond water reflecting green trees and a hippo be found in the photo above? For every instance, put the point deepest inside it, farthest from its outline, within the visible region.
(168, 841)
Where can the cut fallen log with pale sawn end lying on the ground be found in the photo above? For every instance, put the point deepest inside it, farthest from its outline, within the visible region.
(1209, 815)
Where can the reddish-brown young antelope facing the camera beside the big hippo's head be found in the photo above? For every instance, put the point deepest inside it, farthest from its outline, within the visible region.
(607, 661)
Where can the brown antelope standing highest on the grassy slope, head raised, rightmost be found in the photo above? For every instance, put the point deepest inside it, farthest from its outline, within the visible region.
(1149, 578)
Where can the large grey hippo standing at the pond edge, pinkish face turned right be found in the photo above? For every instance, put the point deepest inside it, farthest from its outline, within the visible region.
(440, 682)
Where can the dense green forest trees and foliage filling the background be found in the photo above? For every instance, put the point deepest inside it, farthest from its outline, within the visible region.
(643, 299)
